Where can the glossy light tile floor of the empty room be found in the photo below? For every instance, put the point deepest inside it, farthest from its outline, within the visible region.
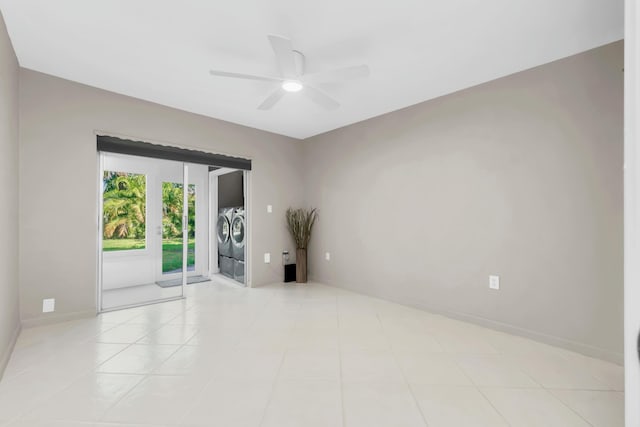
(297, 355)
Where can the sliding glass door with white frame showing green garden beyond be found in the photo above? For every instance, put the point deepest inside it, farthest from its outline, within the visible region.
(147, 230)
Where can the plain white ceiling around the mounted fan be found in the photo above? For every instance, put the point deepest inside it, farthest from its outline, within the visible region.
(161, 50)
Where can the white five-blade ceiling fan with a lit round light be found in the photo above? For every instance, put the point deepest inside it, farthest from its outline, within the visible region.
(293, 78)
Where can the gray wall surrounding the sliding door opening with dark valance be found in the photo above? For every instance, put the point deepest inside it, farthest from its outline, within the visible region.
(58, 178)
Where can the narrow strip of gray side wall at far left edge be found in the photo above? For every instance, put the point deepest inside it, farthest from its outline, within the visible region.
(9, 315)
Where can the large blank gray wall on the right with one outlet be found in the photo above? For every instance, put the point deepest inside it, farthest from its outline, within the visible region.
(520, 177)
